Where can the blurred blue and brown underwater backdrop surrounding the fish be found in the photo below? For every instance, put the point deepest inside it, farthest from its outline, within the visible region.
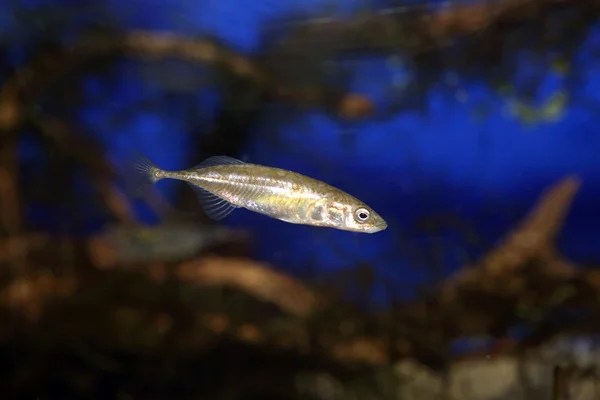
(452, 120)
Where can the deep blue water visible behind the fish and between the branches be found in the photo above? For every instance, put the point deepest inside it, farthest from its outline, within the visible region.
(487, 171)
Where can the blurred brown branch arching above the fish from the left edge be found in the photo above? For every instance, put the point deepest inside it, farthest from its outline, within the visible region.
(26, 85)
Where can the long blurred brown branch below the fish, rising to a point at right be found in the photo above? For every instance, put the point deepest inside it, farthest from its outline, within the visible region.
(522, 276)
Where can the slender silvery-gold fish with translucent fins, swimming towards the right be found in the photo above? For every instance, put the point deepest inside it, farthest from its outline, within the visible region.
(223, 183)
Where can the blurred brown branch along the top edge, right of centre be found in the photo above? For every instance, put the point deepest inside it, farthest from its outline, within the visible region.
(414, 29)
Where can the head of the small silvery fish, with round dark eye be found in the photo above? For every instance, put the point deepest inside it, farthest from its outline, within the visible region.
(352, 215)
